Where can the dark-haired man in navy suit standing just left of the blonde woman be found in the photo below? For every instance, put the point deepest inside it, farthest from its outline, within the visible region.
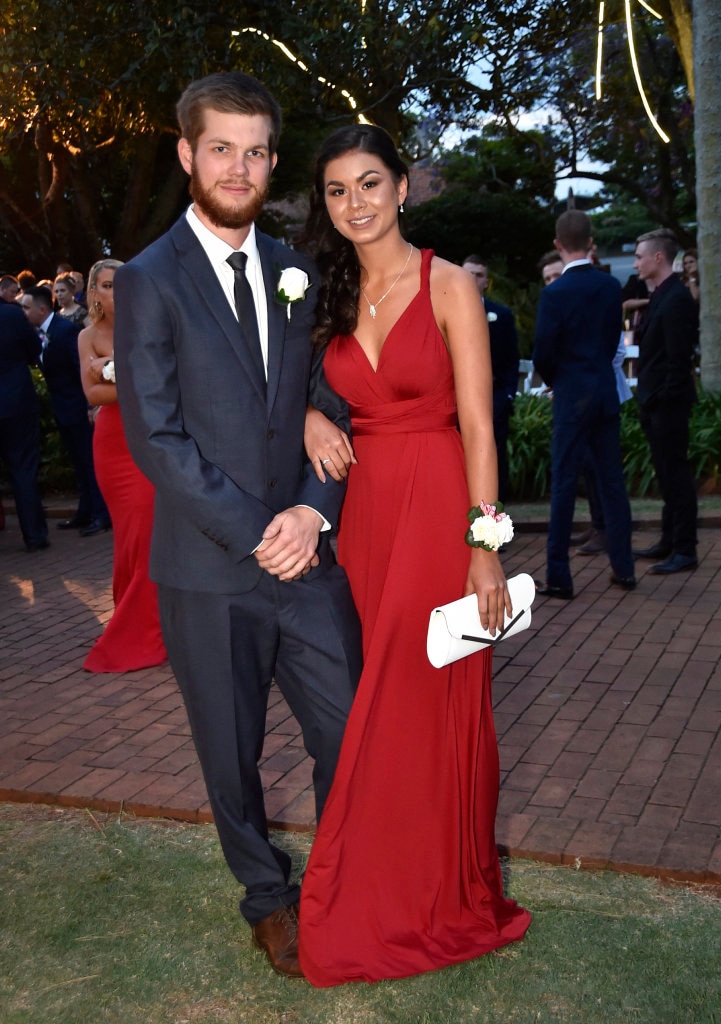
(61, 366)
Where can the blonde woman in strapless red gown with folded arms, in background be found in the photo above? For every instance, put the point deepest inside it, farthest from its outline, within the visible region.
(133, 637)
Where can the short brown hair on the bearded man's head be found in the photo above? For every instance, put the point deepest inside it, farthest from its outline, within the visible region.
(228, 93)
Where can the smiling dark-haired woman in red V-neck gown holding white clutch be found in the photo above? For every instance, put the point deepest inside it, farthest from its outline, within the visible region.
(404, 876)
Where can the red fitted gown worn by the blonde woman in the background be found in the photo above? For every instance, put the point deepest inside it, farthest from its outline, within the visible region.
(133, 637)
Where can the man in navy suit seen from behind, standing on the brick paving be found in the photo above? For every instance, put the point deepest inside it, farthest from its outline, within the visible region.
(577, 336)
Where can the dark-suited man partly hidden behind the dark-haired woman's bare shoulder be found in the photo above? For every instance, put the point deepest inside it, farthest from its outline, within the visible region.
(504, 363)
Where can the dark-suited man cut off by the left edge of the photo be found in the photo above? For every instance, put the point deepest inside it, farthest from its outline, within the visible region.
(20, 415)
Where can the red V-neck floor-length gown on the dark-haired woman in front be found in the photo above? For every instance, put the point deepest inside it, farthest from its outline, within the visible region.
(404, 876)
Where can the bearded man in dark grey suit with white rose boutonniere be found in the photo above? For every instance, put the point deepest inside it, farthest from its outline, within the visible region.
(216, 370)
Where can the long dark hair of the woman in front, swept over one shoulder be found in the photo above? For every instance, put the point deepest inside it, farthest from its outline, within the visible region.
(337, 311)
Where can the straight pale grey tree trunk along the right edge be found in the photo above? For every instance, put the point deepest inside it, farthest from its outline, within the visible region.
(707, 47)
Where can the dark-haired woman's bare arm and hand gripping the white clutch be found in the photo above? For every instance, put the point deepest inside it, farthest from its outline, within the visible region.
(459, 313)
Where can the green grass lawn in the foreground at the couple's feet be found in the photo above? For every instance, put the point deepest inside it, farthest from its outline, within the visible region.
(136, 922)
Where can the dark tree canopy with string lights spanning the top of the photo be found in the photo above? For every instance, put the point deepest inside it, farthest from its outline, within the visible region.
(88, 129)
